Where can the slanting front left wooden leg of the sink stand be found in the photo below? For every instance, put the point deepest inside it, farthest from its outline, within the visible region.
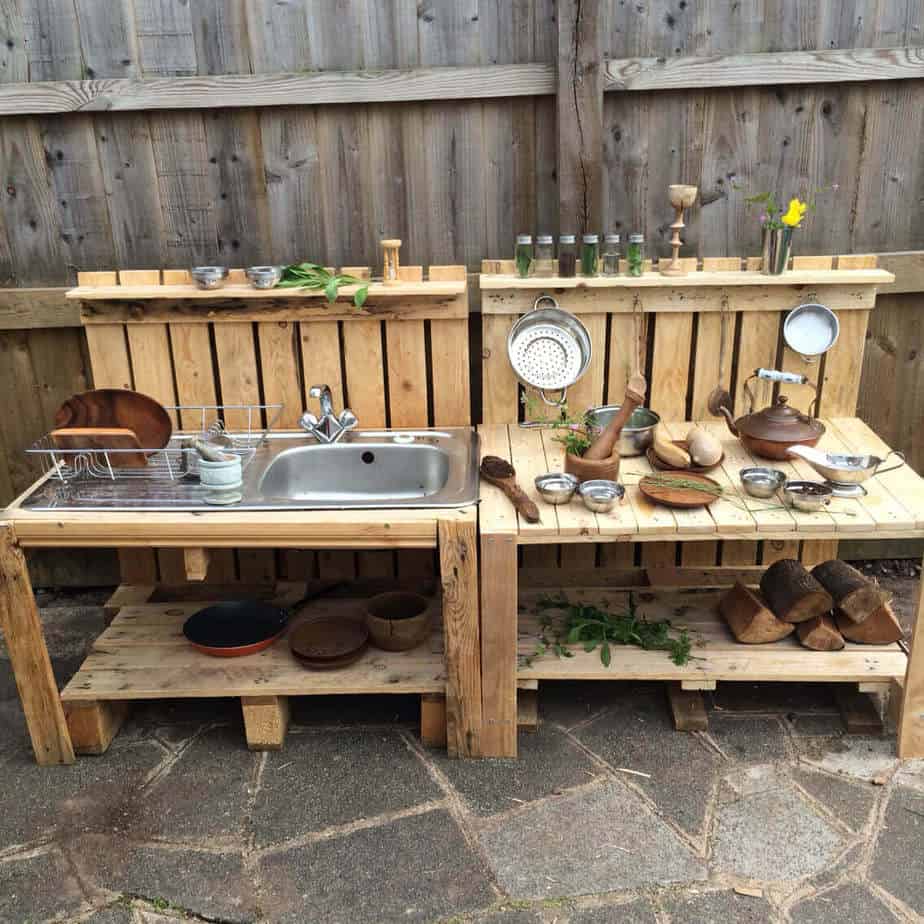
(25, 643)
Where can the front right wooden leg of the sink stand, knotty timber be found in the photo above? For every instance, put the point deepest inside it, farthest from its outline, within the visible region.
(458, 546)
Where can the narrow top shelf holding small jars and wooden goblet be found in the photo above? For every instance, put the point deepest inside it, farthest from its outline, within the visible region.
(693, 279)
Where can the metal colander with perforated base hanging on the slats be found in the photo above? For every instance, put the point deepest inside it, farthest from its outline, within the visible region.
(549, 350)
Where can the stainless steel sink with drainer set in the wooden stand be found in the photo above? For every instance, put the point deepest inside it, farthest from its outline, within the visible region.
(366, 469)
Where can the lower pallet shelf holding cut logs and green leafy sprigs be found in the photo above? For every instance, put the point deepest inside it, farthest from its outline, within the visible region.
(716, 654)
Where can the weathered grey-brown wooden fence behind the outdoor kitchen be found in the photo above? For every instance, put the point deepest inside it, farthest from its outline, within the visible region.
(161, 134)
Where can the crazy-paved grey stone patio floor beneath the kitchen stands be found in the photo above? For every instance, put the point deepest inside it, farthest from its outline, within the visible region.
(608, 816)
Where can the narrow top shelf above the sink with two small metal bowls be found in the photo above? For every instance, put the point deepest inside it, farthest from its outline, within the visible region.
(244, 291)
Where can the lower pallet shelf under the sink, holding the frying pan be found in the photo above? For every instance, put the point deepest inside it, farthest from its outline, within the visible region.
(143, 655)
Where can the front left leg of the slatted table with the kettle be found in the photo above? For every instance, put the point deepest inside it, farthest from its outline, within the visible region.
(499, 645)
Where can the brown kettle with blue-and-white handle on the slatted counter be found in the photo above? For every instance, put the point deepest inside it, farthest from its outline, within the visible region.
(769, 433)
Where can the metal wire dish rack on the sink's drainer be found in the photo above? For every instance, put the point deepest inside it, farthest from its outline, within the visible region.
(172, 462)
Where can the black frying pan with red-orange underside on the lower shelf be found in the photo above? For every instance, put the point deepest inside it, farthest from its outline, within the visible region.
(235, 628)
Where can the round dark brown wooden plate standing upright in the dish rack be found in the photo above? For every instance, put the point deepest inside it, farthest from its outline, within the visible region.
(118, 407)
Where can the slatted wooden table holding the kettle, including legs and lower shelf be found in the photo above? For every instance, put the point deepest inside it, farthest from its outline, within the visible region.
(892, 508)
